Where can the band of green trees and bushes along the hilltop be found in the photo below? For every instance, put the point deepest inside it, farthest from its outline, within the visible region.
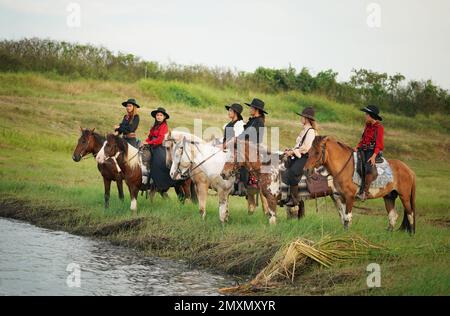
(392, 93)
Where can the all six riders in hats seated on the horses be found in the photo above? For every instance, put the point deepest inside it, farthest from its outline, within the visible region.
(369, 149)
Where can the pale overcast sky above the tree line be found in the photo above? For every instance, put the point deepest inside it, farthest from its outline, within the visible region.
(411, 37)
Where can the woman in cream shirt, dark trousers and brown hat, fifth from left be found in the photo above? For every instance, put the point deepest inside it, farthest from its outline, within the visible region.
(299, 154)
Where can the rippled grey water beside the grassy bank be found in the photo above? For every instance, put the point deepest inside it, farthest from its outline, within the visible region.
(33, 261)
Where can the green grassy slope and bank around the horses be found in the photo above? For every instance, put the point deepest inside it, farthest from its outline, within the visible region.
(39, 128)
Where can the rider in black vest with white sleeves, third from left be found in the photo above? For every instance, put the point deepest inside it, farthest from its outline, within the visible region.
(231, 130)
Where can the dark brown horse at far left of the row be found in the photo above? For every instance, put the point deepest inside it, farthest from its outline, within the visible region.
(91, 143)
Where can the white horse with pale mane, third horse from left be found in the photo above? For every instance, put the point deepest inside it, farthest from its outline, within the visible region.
(203, 162)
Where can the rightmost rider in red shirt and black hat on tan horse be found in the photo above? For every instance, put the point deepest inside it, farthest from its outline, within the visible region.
(371, 145)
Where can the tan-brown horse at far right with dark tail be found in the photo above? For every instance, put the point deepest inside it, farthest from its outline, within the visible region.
(337, 158)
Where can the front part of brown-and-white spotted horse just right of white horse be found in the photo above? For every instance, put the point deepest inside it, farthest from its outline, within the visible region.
(267, 173)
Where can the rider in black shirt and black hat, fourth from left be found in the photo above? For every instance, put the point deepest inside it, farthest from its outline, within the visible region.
(254, 132)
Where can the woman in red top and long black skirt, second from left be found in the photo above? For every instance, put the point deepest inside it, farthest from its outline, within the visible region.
(159, 172)
